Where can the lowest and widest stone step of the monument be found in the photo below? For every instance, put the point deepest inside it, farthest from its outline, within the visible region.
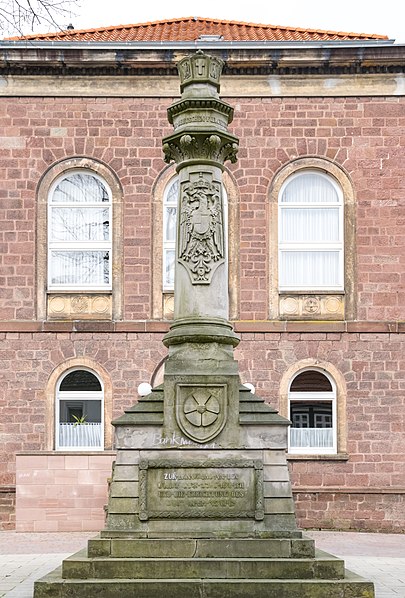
(351, 586)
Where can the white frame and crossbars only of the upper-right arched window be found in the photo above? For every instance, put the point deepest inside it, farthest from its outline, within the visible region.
(312, 246)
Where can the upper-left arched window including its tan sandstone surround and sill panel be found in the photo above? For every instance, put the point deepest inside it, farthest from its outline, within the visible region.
(79, 237)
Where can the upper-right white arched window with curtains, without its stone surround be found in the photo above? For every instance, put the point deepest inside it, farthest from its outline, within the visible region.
(310, 234)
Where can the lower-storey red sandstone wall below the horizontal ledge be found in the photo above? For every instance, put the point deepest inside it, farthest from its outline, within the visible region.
(372, 365)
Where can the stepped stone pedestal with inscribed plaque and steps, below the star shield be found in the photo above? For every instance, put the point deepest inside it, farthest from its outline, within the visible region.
(192, 521)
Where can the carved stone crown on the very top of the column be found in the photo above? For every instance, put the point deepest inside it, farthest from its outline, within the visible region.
(200, 68)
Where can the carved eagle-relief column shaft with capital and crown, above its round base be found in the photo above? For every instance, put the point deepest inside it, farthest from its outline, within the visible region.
(200, 145)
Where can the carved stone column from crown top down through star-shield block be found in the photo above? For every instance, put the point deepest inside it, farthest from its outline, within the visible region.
(201, 340)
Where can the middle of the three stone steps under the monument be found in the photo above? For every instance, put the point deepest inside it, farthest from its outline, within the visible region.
(323, 567)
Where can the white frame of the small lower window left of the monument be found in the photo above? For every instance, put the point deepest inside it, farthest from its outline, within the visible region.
(78, 396)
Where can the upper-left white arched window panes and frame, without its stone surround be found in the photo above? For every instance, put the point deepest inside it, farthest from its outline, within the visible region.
(79, 232)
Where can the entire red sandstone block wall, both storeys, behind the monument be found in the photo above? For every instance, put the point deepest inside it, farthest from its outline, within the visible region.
(363, 135)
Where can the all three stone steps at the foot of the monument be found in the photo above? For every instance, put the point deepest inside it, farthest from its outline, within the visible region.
(125, 567)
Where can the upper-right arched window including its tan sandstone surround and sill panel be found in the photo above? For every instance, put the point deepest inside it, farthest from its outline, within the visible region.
(312, 242)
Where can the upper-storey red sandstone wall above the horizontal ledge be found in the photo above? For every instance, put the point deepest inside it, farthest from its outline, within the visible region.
(363, 135)
